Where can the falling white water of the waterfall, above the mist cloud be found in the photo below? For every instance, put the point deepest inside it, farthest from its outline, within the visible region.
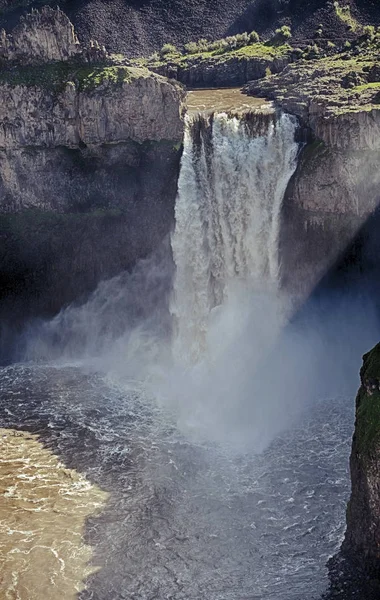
(233, 177)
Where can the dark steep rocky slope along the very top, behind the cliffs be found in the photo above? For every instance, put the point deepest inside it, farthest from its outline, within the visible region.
(139, 27)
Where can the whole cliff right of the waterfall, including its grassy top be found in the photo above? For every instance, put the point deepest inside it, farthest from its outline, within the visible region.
(336, 186)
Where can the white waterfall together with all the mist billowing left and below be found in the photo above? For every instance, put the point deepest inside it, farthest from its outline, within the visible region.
(219, 358)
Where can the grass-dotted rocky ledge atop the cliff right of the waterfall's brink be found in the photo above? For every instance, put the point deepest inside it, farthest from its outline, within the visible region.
(345, 118)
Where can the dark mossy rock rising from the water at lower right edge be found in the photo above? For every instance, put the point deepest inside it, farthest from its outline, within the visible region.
(355, 571)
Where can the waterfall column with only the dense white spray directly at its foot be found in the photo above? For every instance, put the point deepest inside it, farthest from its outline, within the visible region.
(226, 303)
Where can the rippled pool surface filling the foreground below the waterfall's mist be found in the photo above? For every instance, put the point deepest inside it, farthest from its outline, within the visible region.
(184, 521)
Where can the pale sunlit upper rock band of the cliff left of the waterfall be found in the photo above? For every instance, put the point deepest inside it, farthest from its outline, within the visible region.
(117, 104)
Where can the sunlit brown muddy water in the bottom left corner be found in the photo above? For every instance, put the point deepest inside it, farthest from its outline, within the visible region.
(43, 510)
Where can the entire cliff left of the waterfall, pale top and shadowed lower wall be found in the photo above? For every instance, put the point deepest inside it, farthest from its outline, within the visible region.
(89, 163)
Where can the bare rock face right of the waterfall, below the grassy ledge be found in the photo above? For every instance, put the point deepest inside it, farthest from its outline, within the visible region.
(330, 197)
